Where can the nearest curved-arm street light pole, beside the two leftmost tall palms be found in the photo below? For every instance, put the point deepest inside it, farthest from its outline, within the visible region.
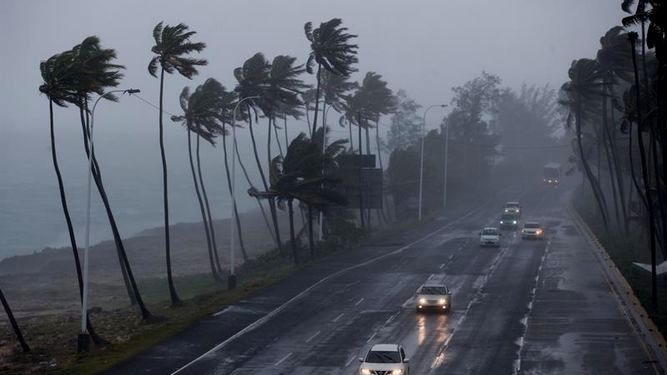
(83, 340)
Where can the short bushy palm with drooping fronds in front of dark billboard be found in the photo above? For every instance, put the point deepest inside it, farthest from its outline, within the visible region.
(298, 176)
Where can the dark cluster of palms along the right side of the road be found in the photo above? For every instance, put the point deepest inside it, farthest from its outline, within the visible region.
(617, 105)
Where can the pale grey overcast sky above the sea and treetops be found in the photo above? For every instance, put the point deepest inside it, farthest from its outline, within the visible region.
(423, 46)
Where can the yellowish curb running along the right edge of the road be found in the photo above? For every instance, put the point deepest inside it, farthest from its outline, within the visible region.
(653, 341)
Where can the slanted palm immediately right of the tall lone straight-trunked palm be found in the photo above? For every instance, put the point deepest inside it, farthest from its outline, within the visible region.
(199, 115)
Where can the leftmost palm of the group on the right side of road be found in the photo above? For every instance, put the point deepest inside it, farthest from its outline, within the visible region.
(580, 95)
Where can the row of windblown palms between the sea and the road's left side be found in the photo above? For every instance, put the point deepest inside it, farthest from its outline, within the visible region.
(273, 92)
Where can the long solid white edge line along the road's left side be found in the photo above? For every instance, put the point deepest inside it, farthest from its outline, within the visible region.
(261, 321)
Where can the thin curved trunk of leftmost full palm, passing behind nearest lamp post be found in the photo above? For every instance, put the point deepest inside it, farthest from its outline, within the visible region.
(70, 227)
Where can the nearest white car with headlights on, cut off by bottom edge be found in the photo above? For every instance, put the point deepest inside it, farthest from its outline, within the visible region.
(385, 359)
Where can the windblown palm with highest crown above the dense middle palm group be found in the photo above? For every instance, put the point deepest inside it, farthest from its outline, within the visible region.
(331, 49)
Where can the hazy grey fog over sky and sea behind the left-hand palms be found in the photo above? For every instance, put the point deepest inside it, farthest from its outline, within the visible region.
(424, 47)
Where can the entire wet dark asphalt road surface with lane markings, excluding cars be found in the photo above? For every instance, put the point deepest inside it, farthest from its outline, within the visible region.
(527, 307)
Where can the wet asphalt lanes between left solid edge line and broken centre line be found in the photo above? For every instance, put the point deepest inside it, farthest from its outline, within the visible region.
(328, 330)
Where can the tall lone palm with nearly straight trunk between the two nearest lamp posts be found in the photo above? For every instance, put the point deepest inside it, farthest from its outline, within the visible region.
(172, 45)
